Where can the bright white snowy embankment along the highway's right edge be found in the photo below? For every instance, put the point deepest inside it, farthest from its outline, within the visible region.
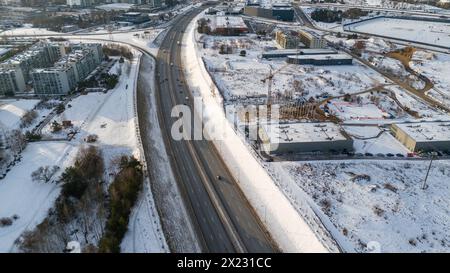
(283, 222)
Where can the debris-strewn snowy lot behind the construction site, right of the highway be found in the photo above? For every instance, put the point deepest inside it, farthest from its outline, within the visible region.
(240, 77)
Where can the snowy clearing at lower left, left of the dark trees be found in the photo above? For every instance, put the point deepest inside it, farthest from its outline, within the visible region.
(28, 199)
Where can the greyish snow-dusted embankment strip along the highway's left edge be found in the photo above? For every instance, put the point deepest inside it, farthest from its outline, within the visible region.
(174, 216)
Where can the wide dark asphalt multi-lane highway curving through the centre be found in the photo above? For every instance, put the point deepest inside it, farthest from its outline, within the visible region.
(222, 216)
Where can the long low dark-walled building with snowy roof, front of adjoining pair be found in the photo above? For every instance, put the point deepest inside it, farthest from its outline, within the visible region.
(328, 59)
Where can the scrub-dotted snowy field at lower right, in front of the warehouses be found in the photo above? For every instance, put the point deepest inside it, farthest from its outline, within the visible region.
(380, 203)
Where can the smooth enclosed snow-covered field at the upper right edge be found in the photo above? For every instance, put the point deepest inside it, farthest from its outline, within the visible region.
(434, 33)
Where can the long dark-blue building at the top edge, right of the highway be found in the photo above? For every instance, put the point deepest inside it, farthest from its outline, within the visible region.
(279, 11)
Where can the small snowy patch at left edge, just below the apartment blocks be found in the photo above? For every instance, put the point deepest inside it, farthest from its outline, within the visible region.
(11, 111)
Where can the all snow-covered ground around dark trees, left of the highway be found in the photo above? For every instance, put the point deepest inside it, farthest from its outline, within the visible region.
(111, 117)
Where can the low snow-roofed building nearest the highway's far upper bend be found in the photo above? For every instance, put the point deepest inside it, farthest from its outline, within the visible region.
(227, 25)
